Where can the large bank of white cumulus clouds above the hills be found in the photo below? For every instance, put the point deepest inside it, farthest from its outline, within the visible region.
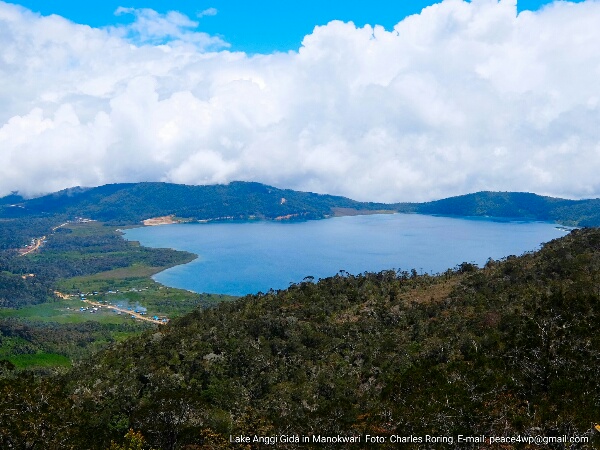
(464, 96)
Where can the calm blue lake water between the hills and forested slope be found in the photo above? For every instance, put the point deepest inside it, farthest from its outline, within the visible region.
(250, 257)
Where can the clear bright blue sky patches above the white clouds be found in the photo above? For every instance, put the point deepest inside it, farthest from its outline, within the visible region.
(254, 27)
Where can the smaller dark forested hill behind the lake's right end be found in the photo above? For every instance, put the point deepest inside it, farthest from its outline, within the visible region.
(512, 205)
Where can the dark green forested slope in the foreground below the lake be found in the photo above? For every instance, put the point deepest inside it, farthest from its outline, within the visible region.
(510, 349)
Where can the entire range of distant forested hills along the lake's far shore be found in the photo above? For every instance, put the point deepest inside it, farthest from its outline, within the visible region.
(134, 202)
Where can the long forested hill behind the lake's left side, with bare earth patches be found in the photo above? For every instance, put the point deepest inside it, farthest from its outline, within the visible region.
(131, 203)
